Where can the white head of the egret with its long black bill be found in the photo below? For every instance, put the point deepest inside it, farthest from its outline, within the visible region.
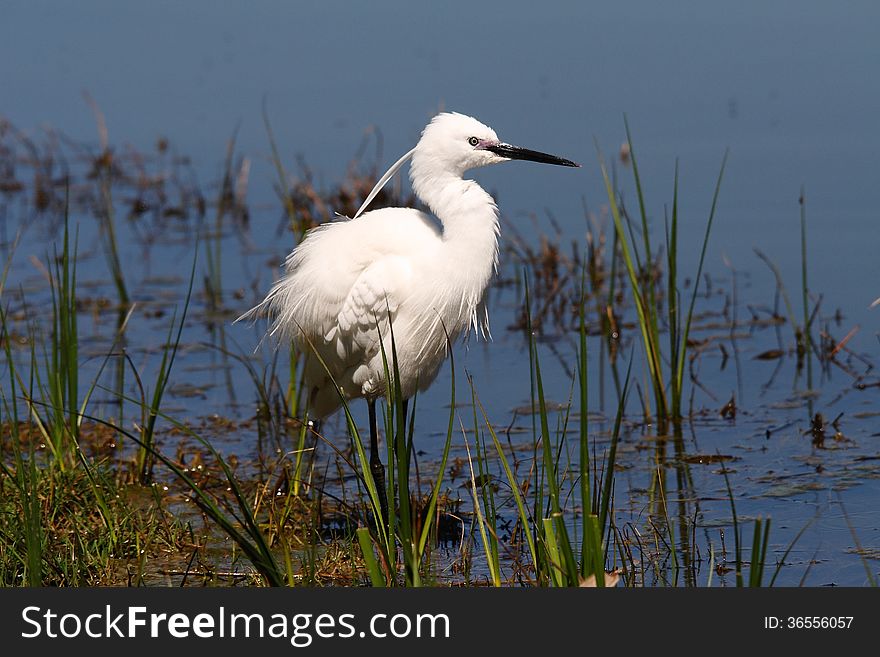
(454, 143)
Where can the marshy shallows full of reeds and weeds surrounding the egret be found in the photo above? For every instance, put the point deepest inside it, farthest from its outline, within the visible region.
(110, 473)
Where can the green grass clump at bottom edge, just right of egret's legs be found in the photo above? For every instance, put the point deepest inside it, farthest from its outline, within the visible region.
(547, 527)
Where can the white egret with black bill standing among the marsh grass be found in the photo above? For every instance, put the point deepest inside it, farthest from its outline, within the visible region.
(424, 275)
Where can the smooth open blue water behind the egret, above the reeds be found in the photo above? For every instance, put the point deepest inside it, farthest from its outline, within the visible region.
(789, 87)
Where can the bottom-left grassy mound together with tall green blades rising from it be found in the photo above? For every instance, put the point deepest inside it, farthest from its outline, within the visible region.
(65, 519)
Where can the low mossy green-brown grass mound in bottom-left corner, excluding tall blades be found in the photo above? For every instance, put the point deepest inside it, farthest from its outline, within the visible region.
(78, 527)
